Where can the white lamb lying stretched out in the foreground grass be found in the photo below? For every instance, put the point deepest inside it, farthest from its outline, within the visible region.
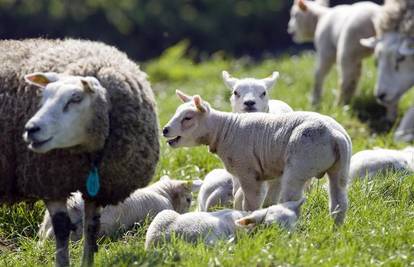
(210, 227)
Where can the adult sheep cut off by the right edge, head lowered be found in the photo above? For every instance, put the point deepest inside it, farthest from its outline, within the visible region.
(394, 51)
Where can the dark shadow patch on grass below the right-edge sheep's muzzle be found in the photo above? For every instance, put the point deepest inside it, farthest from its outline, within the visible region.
(370, 112)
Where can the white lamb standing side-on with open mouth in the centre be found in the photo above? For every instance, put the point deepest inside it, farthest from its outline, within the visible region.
(255, 147)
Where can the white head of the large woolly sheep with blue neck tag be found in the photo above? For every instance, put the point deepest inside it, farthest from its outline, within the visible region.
(69, 110)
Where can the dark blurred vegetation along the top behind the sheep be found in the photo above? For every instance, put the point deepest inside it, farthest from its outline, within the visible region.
(144, 28)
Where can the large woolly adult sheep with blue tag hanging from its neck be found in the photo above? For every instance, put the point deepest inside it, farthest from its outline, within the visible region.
(91, 119)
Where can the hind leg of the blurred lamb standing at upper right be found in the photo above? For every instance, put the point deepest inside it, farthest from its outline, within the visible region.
(350, 72)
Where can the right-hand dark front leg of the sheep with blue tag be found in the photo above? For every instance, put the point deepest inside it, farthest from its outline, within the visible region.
(90, 232)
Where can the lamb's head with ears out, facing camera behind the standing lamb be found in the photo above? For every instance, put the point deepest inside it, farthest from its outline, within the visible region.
(249, 95)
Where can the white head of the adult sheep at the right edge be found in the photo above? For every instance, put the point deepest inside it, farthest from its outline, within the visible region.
(395, 63)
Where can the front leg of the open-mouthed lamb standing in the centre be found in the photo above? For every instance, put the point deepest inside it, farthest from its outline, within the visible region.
(251, 189)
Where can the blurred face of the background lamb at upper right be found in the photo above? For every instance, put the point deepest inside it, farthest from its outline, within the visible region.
(302, 23)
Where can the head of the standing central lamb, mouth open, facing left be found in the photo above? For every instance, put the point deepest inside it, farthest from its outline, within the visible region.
(188, 125)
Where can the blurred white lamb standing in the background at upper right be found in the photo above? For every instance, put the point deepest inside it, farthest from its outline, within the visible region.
(336, 33)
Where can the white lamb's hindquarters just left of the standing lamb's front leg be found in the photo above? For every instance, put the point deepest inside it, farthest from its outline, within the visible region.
(217, 189)
